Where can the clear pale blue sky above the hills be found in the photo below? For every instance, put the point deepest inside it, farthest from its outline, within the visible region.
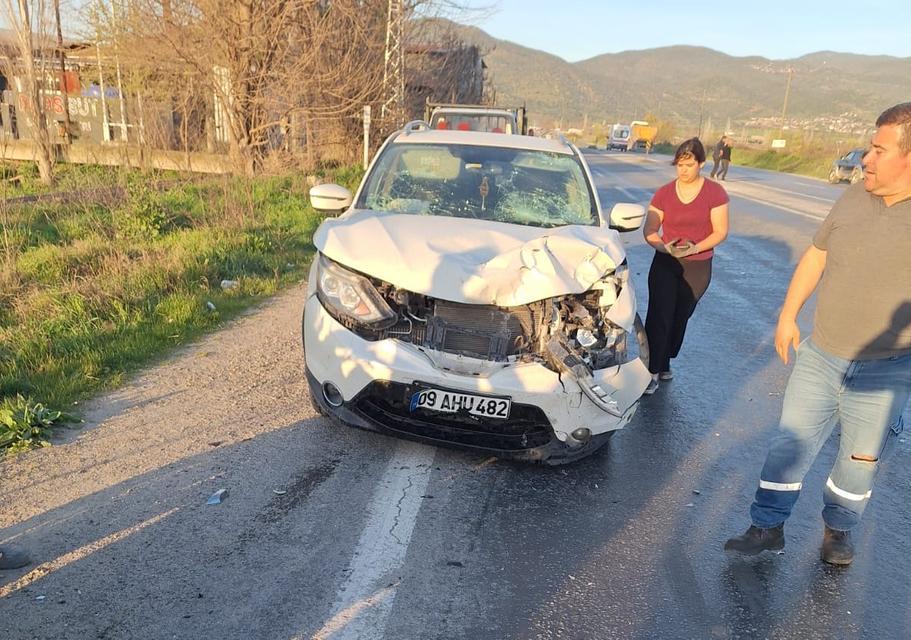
(577, 29)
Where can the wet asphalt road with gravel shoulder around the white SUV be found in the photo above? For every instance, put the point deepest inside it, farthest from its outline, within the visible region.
(329, 532)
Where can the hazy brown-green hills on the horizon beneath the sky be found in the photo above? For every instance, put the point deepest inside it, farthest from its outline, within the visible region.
(682, 83)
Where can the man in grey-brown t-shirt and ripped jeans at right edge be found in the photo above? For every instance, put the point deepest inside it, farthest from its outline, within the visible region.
(855, 368)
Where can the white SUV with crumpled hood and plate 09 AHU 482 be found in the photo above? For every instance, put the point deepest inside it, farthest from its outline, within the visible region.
(474, 295)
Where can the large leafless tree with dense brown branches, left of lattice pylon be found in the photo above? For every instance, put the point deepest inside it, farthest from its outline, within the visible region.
(256, 64)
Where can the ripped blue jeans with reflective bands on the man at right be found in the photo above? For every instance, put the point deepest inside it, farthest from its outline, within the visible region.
(867, 397)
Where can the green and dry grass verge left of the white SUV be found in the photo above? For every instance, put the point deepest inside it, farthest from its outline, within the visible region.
(92, 292)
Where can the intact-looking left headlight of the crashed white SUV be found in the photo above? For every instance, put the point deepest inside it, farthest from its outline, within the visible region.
(349, 295)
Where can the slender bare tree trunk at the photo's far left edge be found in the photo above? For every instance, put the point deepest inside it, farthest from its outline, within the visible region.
(28, 19)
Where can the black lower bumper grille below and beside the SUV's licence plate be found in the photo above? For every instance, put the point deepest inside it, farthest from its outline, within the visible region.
(387, 403)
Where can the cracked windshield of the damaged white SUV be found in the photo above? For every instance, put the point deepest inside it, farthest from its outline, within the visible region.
(517, 186)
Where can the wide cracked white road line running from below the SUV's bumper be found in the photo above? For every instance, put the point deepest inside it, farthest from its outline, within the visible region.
(364, 601)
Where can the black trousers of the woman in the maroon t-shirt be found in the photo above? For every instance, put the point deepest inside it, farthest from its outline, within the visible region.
(674, 288)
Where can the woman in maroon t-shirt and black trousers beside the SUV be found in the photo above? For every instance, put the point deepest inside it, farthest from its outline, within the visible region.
(687, 218)
